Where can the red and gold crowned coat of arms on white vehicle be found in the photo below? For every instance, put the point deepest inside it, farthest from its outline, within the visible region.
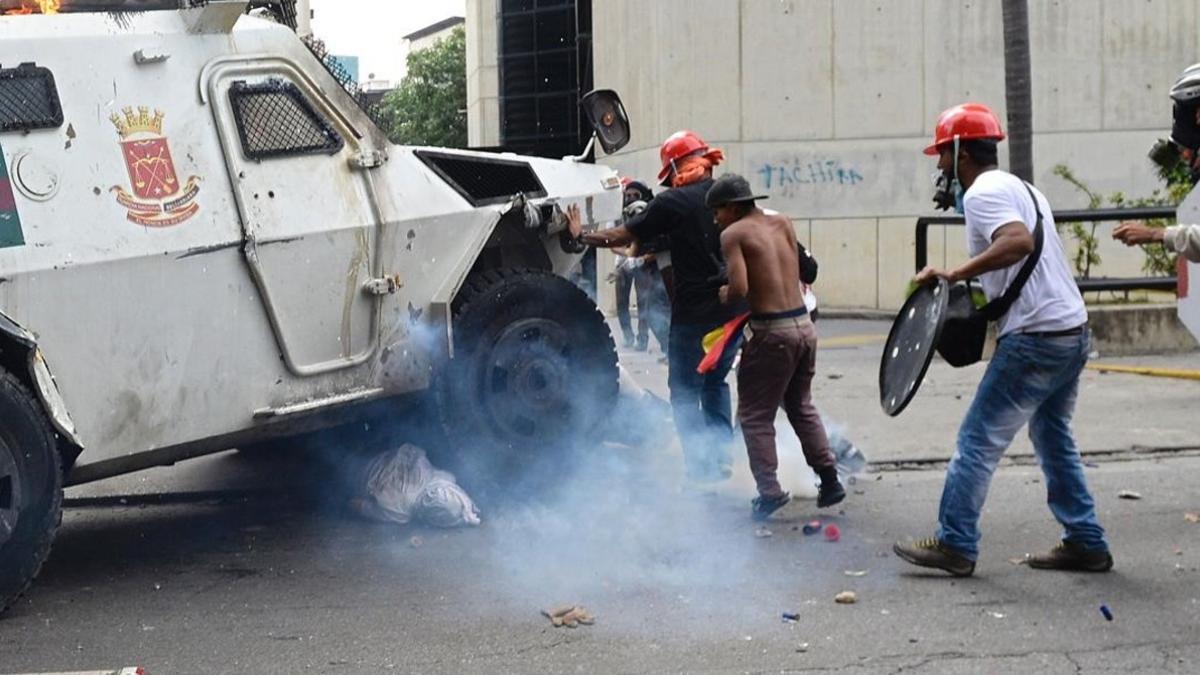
(158, 200)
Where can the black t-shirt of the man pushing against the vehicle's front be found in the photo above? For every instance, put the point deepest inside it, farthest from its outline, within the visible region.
(697, 258)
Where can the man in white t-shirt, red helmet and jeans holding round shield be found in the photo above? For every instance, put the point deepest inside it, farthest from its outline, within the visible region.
(1034, 377)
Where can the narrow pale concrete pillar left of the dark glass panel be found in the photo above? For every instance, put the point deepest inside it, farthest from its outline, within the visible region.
(483, 76)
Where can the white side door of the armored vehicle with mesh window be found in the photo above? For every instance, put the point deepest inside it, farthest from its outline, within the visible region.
(308, 212)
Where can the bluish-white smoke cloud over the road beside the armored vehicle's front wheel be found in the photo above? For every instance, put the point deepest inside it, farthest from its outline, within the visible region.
(615, 513)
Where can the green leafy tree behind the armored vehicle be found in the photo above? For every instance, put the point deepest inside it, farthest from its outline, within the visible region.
(430, 106)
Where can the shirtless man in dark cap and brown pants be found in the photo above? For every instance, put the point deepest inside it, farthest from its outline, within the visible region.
(779, 357)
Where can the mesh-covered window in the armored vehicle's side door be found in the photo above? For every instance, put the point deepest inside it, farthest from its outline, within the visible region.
(275, 121)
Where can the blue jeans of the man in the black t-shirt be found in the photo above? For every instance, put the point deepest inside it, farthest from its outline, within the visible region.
(700, 404)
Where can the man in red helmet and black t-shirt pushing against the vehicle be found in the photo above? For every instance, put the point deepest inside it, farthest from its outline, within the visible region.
(700, 403)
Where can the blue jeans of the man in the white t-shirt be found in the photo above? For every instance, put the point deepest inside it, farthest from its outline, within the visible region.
(1030, 380)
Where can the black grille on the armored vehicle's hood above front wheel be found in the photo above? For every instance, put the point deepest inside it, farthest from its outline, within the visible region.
(484, 181)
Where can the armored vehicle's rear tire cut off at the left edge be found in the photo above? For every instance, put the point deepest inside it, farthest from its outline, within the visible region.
(31, 489)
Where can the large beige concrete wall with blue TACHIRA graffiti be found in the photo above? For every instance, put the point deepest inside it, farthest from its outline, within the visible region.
(826, 106)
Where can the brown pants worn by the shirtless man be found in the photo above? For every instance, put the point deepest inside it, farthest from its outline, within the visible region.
(778, 363)
